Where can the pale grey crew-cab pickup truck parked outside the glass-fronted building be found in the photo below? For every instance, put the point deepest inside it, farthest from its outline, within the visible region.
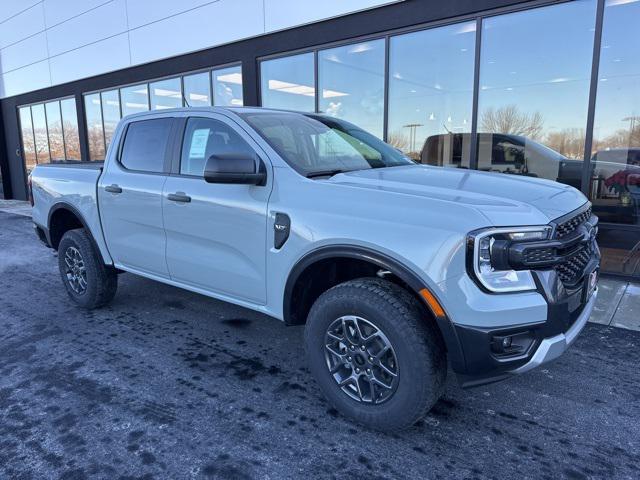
(398, 270)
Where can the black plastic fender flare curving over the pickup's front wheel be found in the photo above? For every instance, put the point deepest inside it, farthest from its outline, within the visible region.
(448, 331)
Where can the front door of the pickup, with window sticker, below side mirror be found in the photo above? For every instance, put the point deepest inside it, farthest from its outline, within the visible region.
(216, 233)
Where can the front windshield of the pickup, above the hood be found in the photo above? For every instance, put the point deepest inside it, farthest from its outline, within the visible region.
(315, 144)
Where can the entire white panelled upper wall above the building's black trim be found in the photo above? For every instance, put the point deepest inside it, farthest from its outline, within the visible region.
(82, 38)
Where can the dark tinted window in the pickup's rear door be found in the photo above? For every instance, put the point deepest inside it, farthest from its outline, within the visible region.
(145, 145)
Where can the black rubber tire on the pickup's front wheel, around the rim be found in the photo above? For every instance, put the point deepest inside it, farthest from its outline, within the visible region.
(421, 365)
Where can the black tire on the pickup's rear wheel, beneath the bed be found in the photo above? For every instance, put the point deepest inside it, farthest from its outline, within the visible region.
(100, 280)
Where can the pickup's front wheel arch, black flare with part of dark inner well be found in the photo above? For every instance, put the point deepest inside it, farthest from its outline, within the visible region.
(379, 261)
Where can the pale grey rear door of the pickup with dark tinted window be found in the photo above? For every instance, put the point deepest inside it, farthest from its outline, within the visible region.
(130, 196)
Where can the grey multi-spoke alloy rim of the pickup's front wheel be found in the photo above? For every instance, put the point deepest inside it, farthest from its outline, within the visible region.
(361, 359)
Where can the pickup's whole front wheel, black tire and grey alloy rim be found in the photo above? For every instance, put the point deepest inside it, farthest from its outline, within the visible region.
(374, 355)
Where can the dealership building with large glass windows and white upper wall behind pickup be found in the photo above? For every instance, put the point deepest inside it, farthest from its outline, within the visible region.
(547, 89)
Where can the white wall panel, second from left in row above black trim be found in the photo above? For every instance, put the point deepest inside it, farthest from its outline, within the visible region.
(104, 56)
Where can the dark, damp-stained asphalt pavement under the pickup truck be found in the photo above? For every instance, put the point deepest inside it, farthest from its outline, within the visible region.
(168, 384)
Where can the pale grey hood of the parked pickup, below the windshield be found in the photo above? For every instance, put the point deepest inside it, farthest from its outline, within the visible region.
(504, 199)
